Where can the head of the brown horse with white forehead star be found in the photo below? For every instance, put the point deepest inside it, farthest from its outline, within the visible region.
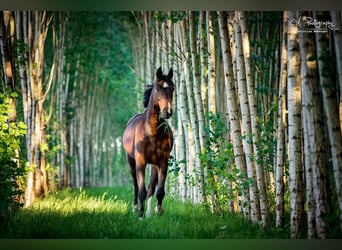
(163, 91)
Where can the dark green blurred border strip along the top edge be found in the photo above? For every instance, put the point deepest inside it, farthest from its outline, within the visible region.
(176, 5)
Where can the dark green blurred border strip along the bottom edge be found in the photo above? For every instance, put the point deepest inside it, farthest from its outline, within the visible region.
(166, 244)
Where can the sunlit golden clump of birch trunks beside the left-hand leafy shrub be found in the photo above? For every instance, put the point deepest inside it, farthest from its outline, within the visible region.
(32, 28)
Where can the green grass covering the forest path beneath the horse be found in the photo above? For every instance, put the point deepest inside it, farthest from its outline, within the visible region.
(106, 213)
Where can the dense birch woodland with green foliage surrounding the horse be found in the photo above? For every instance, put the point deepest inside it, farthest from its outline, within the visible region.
(258, 108)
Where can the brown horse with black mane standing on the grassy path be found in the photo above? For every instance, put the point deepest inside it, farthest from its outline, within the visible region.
(148, 139)
